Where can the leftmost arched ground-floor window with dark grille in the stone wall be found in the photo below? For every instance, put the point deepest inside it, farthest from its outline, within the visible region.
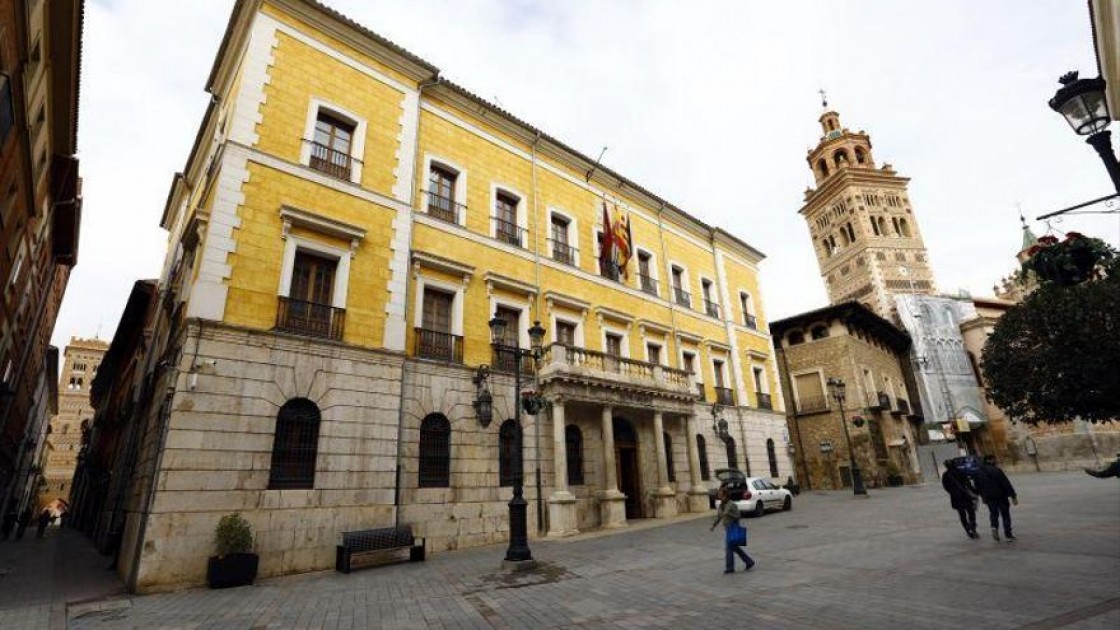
(296, 446)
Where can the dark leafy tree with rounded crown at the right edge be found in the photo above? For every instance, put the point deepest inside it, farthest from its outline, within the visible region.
(1056, 356)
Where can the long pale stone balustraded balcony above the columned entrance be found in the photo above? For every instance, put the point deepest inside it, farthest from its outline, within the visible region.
(571, 362)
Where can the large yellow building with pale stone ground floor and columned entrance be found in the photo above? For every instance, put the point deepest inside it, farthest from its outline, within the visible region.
(347, 226)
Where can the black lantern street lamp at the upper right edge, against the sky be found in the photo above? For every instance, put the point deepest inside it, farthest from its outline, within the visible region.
(1082, 104)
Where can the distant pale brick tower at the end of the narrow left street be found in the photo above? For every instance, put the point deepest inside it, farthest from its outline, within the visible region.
(82, 359)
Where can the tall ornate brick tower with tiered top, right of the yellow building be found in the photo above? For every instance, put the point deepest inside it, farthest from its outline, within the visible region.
(864, 230)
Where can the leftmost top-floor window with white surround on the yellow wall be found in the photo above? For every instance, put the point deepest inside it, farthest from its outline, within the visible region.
(334, 142)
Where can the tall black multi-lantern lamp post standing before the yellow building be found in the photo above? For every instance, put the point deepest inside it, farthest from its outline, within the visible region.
(519, 526)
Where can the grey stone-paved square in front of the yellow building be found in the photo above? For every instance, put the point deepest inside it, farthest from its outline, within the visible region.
(899, 559)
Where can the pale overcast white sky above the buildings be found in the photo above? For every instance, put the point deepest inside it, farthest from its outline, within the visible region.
(711, 106)
